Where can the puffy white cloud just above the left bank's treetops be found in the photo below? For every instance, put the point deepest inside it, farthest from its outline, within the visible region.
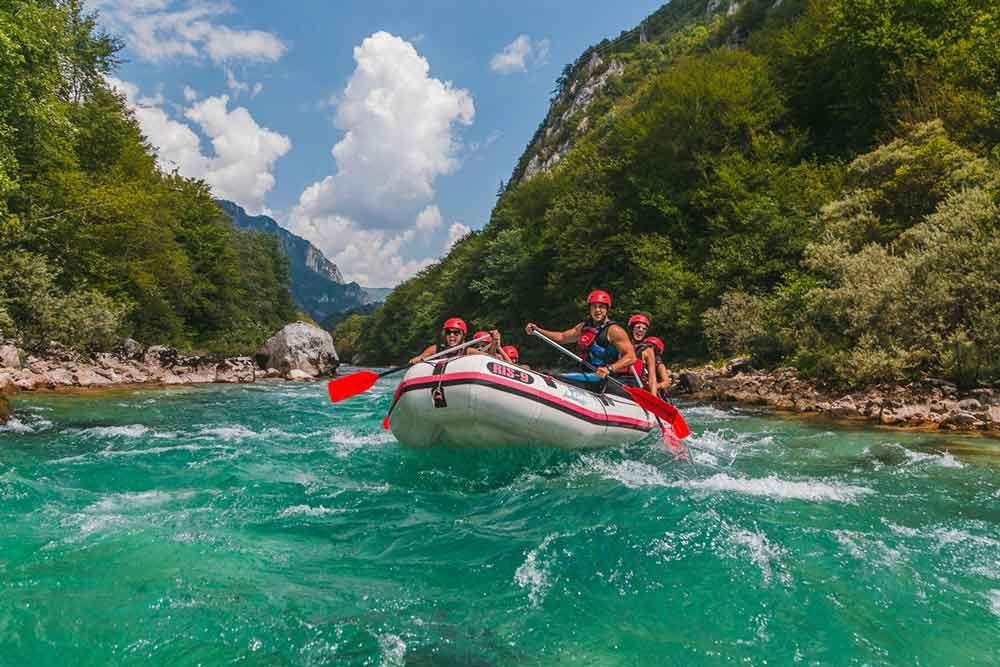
(243, 155)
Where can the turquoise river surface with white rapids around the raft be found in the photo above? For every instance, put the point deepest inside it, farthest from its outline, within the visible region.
(261, 525)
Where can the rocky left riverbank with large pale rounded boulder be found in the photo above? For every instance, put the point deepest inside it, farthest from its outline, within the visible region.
(298, 352)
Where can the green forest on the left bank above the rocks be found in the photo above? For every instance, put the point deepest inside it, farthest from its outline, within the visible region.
(95, 241)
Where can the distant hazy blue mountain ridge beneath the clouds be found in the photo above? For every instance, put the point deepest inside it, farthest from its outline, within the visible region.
(318, 286)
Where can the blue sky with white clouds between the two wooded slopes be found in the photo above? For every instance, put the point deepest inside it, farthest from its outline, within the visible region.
(428, 103)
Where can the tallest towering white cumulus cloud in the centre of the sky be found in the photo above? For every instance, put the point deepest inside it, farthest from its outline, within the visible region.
(400, 128)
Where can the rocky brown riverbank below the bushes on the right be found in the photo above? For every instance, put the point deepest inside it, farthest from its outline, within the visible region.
(928, 404)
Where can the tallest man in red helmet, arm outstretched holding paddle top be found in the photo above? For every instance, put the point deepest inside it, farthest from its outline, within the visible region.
(601, 341)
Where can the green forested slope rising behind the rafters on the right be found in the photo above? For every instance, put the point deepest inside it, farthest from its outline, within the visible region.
(810, 182)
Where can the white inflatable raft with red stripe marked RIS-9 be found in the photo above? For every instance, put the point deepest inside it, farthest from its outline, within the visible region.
(479, 401)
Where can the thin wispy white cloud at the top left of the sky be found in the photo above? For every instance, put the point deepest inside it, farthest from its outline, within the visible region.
(157, 30)
